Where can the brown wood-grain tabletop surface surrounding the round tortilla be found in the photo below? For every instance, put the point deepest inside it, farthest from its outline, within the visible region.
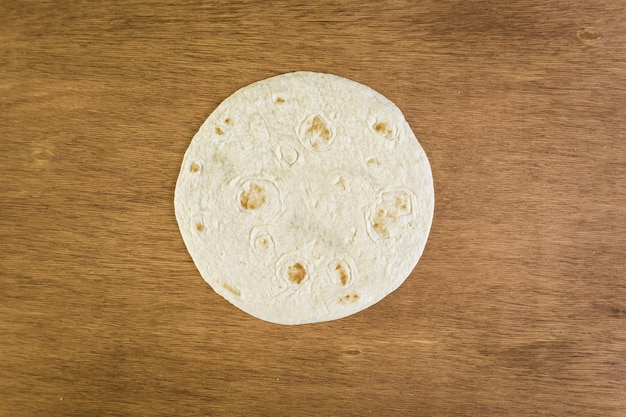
(517, 308)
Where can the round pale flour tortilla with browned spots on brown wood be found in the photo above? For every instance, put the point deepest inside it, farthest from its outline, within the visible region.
(304, 198)
